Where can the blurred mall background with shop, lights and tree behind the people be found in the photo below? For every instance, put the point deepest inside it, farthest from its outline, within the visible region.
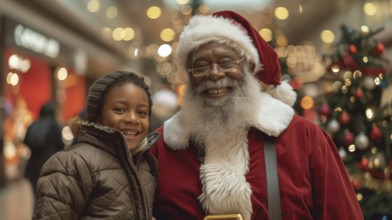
(336, 54)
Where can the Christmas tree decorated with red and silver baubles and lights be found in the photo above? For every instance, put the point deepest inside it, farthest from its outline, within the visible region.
(356, 112)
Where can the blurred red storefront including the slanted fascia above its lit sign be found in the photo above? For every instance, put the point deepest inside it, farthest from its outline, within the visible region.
(42, 60)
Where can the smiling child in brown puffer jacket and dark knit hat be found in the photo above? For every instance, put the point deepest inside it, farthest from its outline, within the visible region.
(109, 173)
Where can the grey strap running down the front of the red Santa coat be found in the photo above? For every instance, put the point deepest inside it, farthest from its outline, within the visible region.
(271, 171)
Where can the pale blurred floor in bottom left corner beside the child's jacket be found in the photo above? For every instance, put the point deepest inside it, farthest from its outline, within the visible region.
(16, 200)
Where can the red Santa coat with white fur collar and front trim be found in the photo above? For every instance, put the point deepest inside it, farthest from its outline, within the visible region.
(313, 181)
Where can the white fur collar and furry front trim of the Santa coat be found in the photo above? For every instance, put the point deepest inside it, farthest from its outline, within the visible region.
(224, 186)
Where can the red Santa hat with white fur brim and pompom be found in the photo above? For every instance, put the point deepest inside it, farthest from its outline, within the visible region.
(228, 25)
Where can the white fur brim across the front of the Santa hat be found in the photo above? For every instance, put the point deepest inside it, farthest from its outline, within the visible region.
(203, 29)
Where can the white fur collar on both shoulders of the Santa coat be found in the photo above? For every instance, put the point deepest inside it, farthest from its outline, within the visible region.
(273, 118)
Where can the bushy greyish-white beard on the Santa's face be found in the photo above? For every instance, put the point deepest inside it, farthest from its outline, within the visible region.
(210, 120)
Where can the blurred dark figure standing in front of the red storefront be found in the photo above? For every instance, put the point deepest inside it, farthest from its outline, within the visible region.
(43, 138)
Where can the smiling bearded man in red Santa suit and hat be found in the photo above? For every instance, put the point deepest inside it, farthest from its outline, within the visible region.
(213, 153)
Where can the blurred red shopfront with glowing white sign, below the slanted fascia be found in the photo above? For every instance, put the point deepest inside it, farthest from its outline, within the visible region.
(36, 68)
